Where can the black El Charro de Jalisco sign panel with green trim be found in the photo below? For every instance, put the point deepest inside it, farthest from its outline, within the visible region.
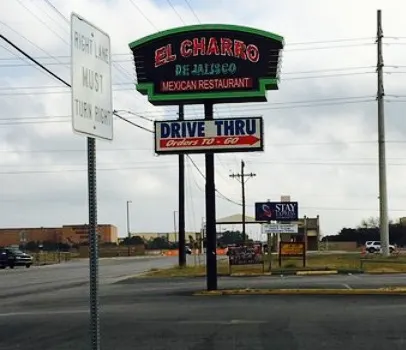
(216, 62)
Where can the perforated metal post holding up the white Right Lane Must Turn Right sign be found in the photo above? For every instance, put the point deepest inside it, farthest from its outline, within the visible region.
(93, 245)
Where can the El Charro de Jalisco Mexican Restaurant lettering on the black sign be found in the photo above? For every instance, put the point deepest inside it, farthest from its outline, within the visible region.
(209, 75)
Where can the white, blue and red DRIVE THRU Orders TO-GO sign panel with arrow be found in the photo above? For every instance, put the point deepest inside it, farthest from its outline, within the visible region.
(205, 136)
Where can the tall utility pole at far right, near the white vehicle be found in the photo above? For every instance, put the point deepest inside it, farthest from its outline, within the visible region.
(383, 195)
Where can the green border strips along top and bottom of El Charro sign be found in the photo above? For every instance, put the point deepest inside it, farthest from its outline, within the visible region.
(264, 83)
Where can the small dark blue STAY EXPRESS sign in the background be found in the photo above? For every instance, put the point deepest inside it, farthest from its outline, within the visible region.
(276, 211)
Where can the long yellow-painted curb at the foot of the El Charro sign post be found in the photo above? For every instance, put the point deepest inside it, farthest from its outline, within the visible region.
(315, 291)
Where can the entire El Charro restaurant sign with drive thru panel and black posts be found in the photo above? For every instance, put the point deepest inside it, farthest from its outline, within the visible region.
(208, 64)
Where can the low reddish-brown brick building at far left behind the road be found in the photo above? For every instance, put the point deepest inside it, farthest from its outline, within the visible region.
(68, 234)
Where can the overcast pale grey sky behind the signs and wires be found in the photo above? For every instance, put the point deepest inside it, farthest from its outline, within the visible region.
(321, 126)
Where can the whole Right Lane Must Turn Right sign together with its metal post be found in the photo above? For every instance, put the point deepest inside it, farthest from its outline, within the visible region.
(91, 54)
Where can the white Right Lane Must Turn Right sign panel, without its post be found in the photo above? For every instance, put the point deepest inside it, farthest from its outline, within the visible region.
(92, 99)
